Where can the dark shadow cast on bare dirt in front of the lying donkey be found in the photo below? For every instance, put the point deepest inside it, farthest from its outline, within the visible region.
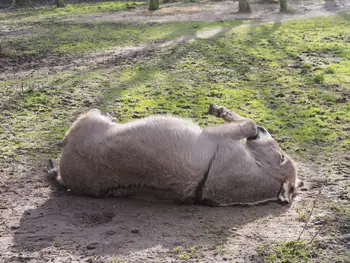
(92, 226)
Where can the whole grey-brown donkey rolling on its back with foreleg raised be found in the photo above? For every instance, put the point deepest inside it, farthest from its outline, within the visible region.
(176, 158)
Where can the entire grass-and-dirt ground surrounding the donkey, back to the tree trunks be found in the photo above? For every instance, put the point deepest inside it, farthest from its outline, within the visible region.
(289, 72)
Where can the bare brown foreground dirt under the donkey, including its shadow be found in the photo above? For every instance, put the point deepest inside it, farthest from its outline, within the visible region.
(41, 224)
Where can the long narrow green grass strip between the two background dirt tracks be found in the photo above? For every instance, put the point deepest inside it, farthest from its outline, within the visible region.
(68, 38)
